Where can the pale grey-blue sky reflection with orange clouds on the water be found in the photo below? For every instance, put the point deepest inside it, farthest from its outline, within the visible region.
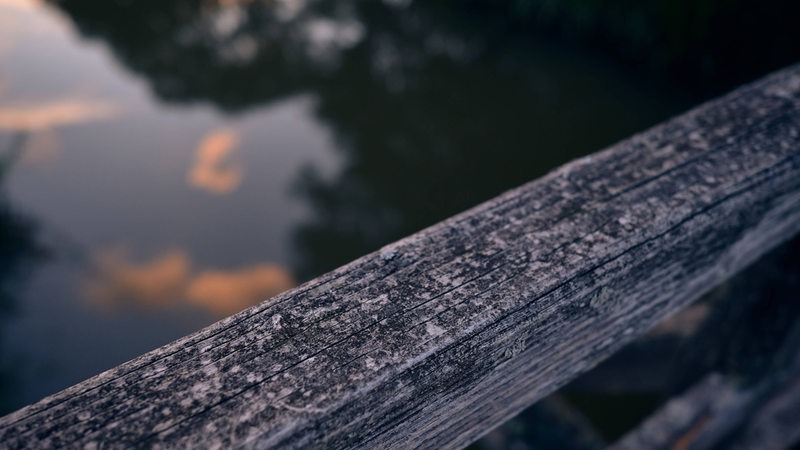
(151, 229)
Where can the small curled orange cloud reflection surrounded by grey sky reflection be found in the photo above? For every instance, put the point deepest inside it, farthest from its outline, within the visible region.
(212, 171)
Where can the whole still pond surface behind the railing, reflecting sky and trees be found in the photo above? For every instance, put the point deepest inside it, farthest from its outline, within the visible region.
(168, 163)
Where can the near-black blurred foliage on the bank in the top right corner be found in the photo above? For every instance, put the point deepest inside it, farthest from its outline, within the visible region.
(710, 45)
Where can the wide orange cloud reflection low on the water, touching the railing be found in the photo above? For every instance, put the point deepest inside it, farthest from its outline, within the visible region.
(168, 281)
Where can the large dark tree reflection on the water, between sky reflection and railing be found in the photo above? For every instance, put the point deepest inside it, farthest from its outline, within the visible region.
(437, 105)
